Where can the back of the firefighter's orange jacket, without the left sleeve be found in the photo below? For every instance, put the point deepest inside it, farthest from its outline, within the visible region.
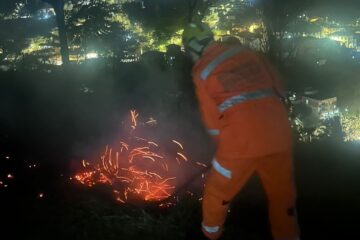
(254, 121)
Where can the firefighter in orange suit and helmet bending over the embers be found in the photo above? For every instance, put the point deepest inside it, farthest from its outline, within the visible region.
(240, 100)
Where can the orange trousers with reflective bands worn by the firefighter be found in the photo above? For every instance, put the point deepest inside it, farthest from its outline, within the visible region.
(227, 178)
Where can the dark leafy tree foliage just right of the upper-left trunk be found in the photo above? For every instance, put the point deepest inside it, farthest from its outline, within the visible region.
(91, 27)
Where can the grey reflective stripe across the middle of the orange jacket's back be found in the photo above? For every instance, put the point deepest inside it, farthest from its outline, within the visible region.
(244, 98)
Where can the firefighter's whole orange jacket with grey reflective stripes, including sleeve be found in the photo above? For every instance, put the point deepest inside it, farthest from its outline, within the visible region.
(254, 127)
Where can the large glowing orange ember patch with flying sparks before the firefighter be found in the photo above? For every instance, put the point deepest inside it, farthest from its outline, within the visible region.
(138, 169)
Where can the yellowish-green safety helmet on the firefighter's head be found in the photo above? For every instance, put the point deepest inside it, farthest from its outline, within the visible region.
(196, 37)
